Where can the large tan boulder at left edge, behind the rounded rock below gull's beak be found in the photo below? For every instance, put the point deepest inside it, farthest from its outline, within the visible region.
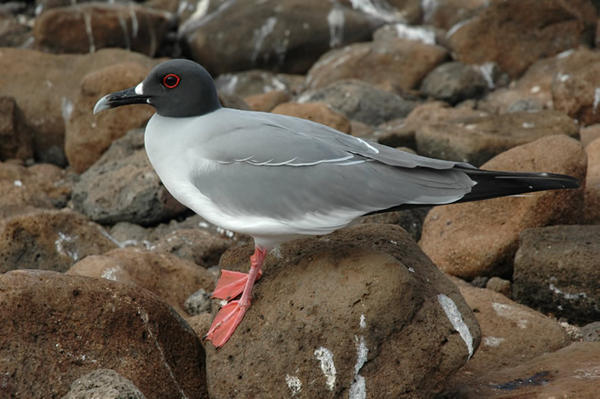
(56, 89)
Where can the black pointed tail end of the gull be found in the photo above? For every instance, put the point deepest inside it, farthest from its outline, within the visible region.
(492, 184)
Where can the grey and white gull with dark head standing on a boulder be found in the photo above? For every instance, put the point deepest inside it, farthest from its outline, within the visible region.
(277, 177)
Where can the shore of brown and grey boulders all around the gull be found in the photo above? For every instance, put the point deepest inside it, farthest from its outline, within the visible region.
(105, 279)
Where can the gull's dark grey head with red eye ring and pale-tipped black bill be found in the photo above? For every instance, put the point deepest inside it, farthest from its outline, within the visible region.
(176, 88)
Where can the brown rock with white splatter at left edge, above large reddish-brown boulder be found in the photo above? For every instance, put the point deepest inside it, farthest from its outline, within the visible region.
(53, 240)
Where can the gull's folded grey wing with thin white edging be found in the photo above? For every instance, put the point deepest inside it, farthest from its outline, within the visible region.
(284, 167)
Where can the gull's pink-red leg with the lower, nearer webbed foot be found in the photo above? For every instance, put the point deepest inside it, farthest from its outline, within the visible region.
(230, 315)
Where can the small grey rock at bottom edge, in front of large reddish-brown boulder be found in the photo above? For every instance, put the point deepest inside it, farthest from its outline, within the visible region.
(103, 383)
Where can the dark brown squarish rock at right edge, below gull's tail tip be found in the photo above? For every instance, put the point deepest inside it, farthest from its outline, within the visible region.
(557, 269)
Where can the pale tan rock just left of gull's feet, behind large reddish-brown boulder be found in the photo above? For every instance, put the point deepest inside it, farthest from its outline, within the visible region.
(169, 277)
